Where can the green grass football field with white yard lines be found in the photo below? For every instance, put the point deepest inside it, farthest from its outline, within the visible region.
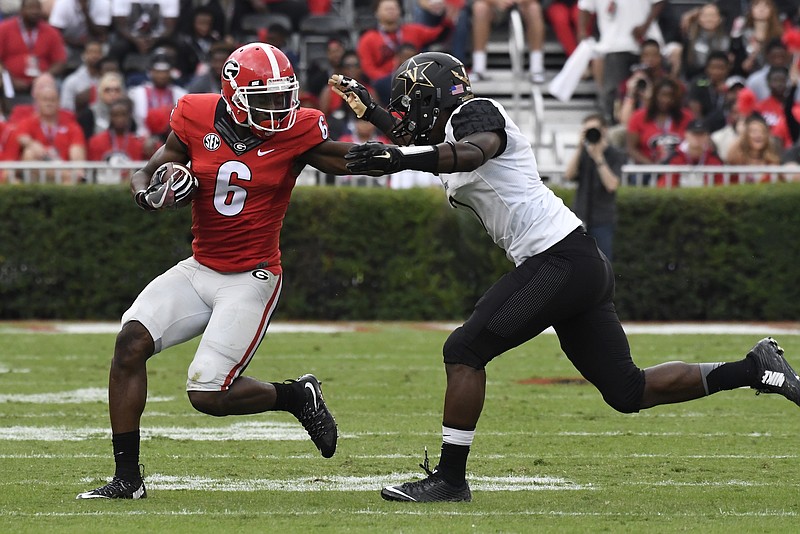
(549, 456)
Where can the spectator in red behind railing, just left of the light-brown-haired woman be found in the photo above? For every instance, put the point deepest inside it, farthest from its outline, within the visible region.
(696, 149)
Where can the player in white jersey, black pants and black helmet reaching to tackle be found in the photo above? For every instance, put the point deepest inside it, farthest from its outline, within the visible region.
(560, 279)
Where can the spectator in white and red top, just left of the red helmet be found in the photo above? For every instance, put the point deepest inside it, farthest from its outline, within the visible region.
(153, 101)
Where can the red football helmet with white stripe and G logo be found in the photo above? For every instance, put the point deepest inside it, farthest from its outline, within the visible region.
(260, 89)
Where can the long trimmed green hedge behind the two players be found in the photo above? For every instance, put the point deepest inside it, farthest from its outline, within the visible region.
(356, 254)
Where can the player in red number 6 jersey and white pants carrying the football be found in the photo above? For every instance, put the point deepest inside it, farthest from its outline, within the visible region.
(246, 148)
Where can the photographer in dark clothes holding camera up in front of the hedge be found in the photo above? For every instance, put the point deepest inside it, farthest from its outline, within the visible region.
(596, 167)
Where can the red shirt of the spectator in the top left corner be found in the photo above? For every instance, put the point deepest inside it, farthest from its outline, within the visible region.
(17, 44)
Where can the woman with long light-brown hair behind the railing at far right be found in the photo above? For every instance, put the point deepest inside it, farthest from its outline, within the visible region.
(753, 147)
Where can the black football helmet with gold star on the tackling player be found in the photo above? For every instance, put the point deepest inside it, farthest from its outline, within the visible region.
(423, 87)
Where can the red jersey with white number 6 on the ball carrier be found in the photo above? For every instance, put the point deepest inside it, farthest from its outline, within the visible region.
(245, 183)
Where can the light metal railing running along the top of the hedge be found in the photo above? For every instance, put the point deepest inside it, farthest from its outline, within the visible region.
(94, 172)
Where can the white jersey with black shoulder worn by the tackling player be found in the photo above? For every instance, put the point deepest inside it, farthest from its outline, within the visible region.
(521, 214)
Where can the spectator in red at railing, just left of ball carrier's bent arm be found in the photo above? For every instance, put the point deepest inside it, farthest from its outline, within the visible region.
(118, 143)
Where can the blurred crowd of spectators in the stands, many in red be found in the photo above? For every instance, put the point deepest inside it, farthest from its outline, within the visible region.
(96, 79)
